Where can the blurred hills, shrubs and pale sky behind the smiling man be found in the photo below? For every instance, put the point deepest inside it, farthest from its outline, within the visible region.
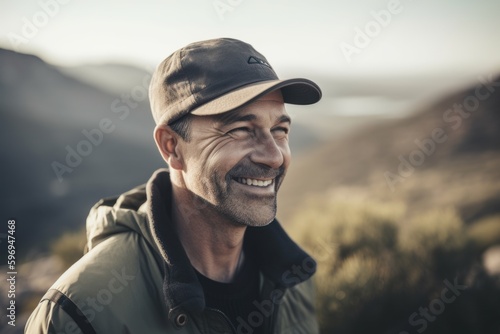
(395, 183)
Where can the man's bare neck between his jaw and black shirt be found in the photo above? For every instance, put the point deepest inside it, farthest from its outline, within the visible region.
(213, 245)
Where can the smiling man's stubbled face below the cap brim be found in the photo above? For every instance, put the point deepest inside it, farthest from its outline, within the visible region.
(235, 162)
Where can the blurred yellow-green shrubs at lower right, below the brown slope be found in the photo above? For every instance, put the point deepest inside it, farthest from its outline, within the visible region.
(377, 265)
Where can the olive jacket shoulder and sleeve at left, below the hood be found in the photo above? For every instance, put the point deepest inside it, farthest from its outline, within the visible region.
(109, 286)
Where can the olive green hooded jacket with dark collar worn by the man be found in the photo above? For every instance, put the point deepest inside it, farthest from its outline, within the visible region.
(136, 278)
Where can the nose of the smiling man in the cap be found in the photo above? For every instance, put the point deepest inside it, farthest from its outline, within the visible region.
(267, 151)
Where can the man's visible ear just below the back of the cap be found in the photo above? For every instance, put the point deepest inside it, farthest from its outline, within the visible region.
(167, 142)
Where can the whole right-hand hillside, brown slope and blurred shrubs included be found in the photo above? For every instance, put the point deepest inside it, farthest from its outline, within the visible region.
(396, 212)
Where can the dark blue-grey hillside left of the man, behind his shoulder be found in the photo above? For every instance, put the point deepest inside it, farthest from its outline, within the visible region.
(44, 116)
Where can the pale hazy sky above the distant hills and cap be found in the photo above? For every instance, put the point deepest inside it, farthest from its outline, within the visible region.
(410, 36)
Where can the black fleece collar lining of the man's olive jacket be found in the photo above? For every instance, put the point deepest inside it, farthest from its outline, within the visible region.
(278, 256)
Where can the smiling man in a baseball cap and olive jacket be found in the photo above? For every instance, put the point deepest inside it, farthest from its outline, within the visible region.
(197, 249)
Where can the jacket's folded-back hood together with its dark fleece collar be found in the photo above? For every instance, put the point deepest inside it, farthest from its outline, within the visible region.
(146, 210)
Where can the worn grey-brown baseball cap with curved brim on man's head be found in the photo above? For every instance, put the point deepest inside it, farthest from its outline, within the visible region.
(216, 76)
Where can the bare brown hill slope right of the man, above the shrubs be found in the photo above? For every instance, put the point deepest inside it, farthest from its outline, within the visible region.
(445, 154)
